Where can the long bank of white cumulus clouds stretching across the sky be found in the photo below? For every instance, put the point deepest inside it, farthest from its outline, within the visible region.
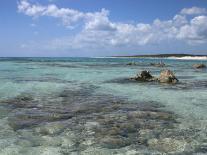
(99, 32)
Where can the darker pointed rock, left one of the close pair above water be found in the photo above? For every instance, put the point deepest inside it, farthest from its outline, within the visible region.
(144, 76)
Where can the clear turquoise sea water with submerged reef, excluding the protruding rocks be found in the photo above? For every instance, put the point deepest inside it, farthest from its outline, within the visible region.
(88, 106)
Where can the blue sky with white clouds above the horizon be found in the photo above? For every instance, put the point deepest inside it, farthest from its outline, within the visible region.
(64, 28)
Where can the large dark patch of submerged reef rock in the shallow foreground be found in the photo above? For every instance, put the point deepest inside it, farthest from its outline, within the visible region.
(75, 121)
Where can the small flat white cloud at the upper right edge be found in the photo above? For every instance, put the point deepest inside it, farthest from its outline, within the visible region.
(193, 11)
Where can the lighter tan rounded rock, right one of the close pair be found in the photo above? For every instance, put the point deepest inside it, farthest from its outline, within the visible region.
(167, 76)
